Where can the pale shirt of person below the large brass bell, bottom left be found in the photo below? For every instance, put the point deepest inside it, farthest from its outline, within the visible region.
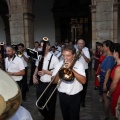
(21, 114)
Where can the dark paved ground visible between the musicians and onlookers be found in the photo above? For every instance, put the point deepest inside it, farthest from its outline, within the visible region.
(93, 110)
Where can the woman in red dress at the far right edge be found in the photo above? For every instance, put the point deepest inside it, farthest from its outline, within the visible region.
(114, 91)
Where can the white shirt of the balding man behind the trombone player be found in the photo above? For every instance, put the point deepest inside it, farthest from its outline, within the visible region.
(87, 54)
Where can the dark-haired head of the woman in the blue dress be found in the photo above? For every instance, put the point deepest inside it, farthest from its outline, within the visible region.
(108, 46)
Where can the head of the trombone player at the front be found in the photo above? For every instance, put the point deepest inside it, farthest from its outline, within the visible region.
(69, 53)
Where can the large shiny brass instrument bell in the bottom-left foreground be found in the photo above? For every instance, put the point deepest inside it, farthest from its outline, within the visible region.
(10, 96)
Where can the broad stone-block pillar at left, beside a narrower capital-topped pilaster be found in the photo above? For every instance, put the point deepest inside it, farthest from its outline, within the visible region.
(16, 21)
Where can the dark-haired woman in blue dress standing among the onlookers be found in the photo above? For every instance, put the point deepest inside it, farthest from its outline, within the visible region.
(106, 68)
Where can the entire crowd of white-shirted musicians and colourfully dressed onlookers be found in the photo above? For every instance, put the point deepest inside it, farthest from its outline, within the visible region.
(105, 63)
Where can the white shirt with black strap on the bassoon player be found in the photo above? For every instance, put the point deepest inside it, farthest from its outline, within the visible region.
(54, 62)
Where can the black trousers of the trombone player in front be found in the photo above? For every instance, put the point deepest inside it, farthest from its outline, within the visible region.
(70, 106)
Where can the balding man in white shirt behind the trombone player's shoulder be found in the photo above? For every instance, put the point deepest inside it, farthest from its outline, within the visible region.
(84, 59)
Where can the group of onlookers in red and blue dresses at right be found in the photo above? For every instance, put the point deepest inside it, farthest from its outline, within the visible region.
(106, 65)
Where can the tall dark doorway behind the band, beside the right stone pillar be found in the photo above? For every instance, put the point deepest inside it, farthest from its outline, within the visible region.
(72, 20)
